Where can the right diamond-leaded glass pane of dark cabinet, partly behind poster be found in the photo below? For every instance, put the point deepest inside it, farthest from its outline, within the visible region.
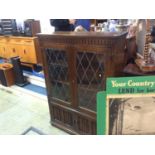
(90, 79)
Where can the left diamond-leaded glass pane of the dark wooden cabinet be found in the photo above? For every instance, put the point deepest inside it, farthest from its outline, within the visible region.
(58, 72)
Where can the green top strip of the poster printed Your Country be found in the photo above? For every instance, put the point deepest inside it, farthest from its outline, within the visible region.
(131, 83)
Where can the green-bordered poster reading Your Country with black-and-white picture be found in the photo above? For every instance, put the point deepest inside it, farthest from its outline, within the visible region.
(129, 107)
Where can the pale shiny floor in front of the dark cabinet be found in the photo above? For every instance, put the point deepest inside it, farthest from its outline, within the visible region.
(19, 111)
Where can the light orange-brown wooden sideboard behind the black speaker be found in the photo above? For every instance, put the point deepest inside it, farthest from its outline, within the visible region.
(27, 48)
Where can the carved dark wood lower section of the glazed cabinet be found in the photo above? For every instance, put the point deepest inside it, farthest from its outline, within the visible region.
(72, 121)
